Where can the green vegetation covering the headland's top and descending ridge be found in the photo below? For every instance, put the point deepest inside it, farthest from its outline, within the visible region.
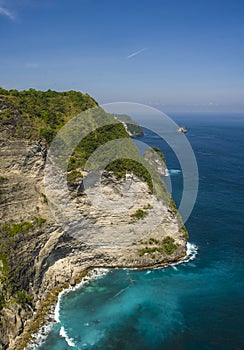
(36, 114)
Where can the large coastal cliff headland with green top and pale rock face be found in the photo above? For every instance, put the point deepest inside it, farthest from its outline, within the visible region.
(38, 258)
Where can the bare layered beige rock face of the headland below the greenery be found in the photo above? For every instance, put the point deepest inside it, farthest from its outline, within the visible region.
(38, 258)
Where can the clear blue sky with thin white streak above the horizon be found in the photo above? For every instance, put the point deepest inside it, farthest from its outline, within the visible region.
(177, 54)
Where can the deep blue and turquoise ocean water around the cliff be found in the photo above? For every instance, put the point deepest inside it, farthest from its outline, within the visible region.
(191, 306)
